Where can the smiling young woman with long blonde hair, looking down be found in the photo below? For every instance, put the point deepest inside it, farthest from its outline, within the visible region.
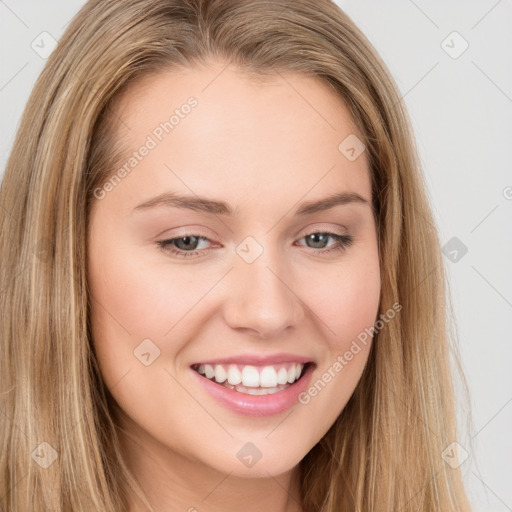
(222, 283)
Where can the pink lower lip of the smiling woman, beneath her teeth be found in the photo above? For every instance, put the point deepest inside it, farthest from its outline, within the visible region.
(257, 405)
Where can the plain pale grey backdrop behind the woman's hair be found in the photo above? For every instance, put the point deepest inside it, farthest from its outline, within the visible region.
(452, 63)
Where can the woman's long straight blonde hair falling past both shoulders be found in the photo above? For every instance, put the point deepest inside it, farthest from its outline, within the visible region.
(384, 452)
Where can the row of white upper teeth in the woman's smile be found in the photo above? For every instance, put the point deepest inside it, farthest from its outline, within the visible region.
(252, 377)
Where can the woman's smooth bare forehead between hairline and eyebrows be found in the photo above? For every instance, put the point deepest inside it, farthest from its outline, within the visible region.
(244, 135)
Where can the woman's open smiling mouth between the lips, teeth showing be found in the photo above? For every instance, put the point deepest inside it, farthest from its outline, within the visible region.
(253, 380)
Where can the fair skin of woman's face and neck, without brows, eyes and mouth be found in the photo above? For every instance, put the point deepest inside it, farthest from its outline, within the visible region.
(263, 146)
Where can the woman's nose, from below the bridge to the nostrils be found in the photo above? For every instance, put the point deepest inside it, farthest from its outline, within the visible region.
(262, 297)
